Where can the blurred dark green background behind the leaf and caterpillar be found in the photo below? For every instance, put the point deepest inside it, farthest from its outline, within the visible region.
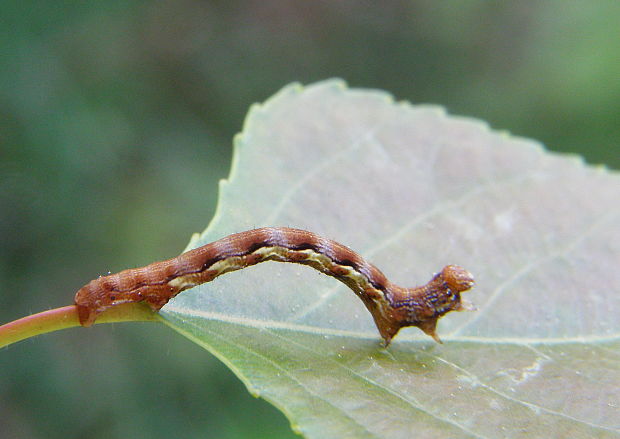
(116, 122)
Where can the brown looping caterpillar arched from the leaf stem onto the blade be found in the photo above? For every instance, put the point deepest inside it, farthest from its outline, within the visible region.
(391, 306)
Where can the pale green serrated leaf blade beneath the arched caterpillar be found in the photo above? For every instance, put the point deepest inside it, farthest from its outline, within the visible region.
(412, 190)
